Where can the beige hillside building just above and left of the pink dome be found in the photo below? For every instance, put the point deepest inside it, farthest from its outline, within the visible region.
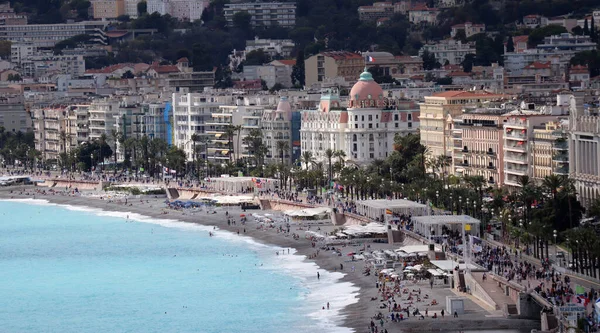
(333, 64)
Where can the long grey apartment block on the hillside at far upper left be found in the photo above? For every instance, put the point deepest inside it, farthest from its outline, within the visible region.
(47, 35)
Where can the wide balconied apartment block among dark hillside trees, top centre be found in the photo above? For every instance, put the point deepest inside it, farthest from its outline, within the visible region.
(264, 14)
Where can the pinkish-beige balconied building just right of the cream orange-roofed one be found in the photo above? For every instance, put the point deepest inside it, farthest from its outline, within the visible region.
(478, 145)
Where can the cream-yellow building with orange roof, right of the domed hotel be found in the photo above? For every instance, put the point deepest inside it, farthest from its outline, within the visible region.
(438, 111)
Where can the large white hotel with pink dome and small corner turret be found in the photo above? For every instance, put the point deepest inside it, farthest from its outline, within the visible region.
(364, 131)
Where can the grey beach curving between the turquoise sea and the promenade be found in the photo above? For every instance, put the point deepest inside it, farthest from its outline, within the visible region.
(356, 316)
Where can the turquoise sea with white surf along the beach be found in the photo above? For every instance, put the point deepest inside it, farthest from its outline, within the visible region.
(76, 269)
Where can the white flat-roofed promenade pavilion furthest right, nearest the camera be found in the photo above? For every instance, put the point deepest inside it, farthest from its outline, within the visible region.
(431, 226)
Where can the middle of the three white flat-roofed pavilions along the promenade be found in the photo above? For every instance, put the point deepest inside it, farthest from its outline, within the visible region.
(375, 209)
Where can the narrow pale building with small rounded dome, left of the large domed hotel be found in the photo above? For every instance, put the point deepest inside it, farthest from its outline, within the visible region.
(277, 126)
